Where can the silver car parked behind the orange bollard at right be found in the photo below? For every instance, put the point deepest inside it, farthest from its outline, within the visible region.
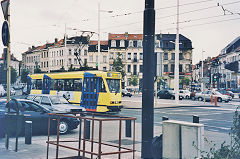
(207, 95)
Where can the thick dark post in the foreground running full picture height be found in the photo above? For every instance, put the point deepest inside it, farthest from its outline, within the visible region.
(148, 78)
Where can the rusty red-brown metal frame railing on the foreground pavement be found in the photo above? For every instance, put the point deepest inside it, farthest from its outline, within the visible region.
(82, 141)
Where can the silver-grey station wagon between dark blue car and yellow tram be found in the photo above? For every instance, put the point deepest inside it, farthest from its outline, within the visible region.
(56, 102)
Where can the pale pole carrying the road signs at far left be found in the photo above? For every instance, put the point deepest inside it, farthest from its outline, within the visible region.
(8, 73)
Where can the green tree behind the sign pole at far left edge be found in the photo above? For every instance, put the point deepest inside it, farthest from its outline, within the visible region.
(3, 73)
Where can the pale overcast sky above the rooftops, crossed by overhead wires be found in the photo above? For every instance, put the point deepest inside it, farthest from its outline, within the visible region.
(35, 22)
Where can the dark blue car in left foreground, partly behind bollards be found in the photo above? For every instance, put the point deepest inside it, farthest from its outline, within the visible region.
(38, 114)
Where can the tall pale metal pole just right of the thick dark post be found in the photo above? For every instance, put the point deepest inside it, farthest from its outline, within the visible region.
(176, 74)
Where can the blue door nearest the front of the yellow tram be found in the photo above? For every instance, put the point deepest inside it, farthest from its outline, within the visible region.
(90, 92)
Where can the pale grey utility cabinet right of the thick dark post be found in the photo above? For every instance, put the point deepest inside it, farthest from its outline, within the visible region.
(182, 139)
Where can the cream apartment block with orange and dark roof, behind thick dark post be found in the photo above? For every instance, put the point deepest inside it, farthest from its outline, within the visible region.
(131, 49)
